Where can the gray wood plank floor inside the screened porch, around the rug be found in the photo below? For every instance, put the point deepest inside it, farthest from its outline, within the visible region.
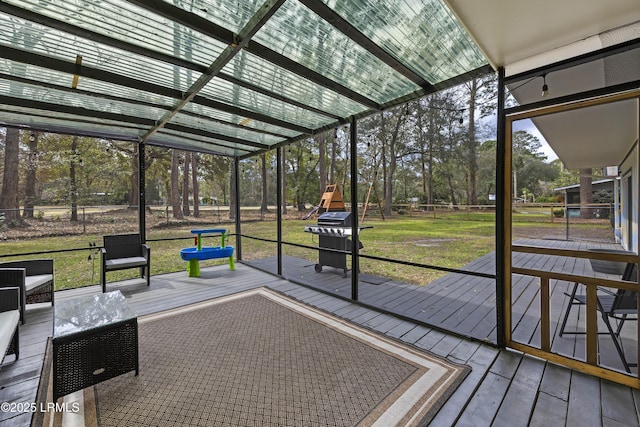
(504, 387)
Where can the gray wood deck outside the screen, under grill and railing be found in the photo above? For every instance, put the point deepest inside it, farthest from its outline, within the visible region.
(465, 305)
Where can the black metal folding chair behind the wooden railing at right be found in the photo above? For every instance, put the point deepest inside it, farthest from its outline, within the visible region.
(619, 305)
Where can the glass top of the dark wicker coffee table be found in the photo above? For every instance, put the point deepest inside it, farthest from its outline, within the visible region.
(89, 312)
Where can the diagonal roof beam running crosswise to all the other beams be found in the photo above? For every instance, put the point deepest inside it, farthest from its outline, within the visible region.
(250, 29)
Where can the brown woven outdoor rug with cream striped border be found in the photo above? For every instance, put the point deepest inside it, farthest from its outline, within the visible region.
(261, 358)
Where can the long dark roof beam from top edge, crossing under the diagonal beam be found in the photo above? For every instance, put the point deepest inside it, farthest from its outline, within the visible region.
(204, 26)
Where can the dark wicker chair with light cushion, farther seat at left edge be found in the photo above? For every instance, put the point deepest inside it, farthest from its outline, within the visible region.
(34, 278)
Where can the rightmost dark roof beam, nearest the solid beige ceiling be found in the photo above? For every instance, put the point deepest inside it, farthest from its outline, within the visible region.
(325, 12)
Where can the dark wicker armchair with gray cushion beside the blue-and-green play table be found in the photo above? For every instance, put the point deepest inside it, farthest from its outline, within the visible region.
(124, 251)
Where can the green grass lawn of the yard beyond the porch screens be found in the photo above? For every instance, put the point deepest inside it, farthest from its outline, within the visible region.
(446, 241)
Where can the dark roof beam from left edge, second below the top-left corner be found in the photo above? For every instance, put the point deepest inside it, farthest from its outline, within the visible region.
(106, 76)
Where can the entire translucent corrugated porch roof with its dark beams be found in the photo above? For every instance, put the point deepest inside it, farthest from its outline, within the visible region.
(171, 70)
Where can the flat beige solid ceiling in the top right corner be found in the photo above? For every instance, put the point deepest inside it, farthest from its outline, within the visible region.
(514, 30)
